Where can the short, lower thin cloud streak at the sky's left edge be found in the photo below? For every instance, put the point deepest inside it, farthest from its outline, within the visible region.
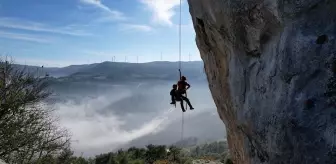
(25, 37)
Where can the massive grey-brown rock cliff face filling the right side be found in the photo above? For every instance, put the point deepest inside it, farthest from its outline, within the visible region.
(271, 70)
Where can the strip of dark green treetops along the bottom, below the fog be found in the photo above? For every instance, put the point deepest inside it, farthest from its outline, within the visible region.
(151, 154)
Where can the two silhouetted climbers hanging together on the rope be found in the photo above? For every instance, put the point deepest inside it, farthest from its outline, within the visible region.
(177, 94)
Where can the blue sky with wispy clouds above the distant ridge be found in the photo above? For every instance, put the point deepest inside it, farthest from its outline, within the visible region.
(65, 32)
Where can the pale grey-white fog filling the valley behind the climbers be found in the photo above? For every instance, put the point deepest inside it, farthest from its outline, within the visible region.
(104, 117)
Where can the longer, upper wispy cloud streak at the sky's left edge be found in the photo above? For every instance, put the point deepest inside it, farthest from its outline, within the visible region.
(39, 27)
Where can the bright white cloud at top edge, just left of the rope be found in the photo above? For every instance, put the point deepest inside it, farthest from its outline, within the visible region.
(163, 10)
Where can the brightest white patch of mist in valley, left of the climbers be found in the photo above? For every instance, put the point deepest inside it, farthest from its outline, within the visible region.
(96, 133)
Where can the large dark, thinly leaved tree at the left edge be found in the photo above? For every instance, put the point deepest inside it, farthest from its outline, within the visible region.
(27, 129)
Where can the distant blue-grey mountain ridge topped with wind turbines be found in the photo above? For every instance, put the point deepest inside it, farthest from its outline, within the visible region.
(115, 71)
